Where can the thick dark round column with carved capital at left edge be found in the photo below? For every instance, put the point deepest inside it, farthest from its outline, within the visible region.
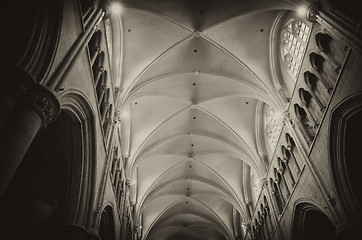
(38, 107)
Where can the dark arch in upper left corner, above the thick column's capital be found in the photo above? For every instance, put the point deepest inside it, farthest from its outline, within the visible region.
(33, 49)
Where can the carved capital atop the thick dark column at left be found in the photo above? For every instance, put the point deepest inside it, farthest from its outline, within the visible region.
(44, 102)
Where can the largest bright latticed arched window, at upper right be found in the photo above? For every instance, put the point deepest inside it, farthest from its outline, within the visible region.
(294, 40)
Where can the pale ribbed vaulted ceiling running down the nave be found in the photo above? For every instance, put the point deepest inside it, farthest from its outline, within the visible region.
(193, 74)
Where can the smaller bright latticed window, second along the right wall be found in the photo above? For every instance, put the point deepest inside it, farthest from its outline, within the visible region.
(273, 125)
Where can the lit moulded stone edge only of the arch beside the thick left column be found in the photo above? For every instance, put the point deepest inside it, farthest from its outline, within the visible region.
(79, 110)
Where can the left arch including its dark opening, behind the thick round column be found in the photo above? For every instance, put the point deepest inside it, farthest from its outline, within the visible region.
(53, 186)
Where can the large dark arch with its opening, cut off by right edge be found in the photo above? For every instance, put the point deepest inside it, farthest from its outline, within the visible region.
(345, 130)
